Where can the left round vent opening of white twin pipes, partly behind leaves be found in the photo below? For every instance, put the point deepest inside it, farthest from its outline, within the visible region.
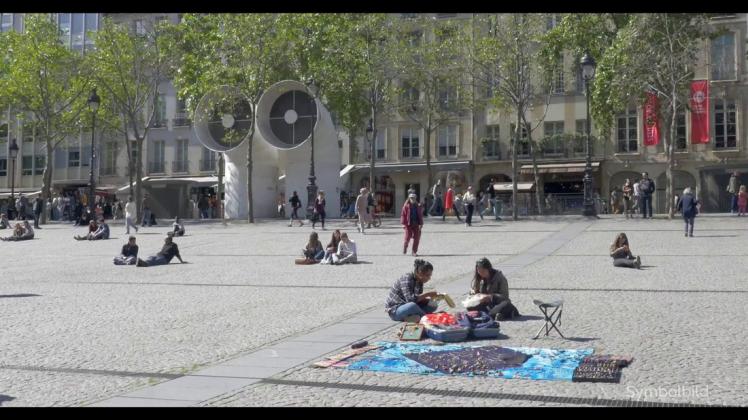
(223, 118)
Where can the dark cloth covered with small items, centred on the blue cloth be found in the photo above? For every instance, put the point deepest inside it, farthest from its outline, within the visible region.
(471, 360)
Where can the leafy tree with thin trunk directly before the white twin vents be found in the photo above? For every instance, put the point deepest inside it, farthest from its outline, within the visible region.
(246, 50)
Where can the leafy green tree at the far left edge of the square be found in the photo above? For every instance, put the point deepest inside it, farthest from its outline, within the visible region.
(46, 84)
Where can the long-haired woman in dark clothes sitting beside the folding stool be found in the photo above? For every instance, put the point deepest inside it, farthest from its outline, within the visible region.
(491, 282)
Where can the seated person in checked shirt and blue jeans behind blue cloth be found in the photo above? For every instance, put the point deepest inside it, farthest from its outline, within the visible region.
(406, 300)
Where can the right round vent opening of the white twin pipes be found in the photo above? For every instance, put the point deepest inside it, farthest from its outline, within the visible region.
(286, 114)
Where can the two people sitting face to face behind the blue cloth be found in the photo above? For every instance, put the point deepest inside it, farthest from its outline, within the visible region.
(408, 302)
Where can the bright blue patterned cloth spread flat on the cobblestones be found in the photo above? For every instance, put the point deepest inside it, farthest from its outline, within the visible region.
(538, 364)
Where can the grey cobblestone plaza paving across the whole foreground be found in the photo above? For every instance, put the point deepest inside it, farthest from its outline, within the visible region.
(240, 324)
